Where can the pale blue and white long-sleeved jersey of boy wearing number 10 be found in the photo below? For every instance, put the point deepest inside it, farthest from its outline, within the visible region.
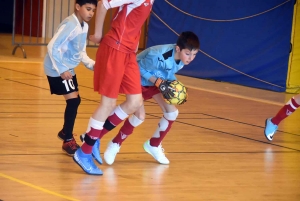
(67, 48)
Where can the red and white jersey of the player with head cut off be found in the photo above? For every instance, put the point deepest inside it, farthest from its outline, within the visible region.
(125, 31)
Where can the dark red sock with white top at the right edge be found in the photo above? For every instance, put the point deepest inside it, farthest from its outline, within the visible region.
(285, 111)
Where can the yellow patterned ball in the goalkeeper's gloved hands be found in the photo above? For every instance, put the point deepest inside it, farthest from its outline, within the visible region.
(180, 93)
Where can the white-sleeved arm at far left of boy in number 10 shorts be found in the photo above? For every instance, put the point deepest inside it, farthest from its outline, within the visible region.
(55, 45)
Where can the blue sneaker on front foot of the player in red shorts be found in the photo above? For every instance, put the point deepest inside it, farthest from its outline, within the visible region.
(85, 161)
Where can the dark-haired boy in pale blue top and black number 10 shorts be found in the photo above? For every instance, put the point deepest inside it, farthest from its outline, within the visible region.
(66, 50)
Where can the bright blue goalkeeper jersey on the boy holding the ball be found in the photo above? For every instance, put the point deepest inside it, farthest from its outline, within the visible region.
(158, 61)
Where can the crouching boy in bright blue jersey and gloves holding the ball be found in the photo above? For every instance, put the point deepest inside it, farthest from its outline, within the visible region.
(158, 65)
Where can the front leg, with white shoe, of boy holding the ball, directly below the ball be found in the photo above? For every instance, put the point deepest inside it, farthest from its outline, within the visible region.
(153, 146)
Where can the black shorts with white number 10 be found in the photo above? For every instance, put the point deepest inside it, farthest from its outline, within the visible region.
(59, 86)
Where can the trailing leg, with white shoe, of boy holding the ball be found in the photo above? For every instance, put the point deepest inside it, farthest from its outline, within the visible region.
(130, 123)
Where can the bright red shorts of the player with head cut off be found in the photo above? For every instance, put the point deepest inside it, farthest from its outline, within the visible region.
(116, 72)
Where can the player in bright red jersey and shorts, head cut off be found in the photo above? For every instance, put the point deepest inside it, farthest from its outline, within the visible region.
(115, 71)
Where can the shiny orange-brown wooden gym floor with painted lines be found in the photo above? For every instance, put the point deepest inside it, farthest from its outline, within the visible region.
(217, 147)
